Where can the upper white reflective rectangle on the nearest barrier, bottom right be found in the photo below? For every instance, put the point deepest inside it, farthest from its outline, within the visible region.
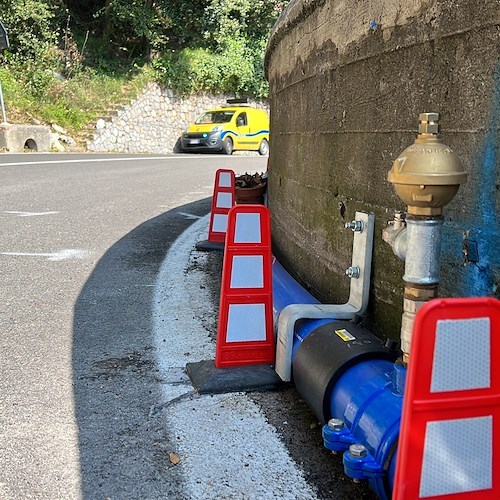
(461, 355)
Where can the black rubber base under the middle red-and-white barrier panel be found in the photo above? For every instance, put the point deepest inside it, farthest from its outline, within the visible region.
(207, 379)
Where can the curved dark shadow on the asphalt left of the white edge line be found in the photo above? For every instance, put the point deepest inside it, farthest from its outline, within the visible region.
(123, 450)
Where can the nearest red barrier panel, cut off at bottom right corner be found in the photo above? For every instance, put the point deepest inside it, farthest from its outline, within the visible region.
(449, 446)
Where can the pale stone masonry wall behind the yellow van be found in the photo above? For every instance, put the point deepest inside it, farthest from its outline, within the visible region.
(153, 122)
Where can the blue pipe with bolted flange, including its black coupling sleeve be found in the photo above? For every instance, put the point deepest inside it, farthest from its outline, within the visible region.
(347, 376)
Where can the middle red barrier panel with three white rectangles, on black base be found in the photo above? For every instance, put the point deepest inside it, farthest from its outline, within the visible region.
(245, 333)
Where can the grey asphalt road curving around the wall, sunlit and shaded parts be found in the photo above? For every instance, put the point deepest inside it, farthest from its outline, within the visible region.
(83, 238)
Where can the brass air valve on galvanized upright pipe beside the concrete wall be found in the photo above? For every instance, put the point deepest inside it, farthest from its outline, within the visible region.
(426, 176)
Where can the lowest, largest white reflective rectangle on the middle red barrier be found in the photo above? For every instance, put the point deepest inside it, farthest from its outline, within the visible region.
(246, 322)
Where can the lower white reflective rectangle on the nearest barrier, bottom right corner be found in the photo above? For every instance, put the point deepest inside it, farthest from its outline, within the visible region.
(458, 456)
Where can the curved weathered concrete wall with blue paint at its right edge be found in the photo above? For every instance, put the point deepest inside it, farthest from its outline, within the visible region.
(348, 80)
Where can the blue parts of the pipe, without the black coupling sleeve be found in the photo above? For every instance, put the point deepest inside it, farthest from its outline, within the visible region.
(367, 397)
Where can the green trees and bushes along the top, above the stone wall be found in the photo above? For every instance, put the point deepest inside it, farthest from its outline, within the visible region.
(207, 45)
